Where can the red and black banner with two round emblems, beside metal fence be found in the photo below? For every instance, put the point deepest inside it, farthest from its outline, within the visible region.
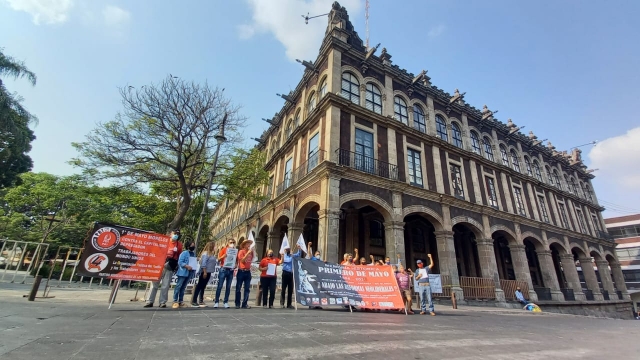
(122, 253)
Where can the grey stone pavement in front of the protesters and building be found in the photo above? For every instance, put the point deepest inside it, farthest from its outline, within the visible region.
(77, 325)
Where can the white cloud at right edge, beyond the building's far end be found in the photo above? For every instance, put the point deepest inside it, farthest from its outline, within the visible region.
(617, 159)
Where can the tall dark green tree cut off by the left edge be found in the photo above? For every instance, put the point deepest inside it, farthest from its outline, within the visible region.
(15, 135)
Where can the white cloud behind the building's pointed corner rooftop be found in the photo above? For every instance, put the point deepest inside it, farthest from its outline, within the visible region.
(283, 19)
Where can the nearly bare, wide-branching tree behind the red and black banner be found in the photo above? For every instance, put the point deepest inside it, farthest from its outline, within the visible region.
(165, 136)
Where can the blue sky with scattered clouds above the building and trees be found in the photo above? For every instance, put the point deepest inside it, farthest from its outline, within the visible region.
(568, 70)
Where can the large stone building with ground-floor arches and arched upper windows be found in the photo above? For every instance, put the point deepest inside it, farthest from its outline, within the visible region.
(366, 155)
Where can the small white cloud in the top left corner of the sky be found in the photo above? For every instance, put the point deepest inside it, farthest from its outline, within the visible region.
(44, 11)
